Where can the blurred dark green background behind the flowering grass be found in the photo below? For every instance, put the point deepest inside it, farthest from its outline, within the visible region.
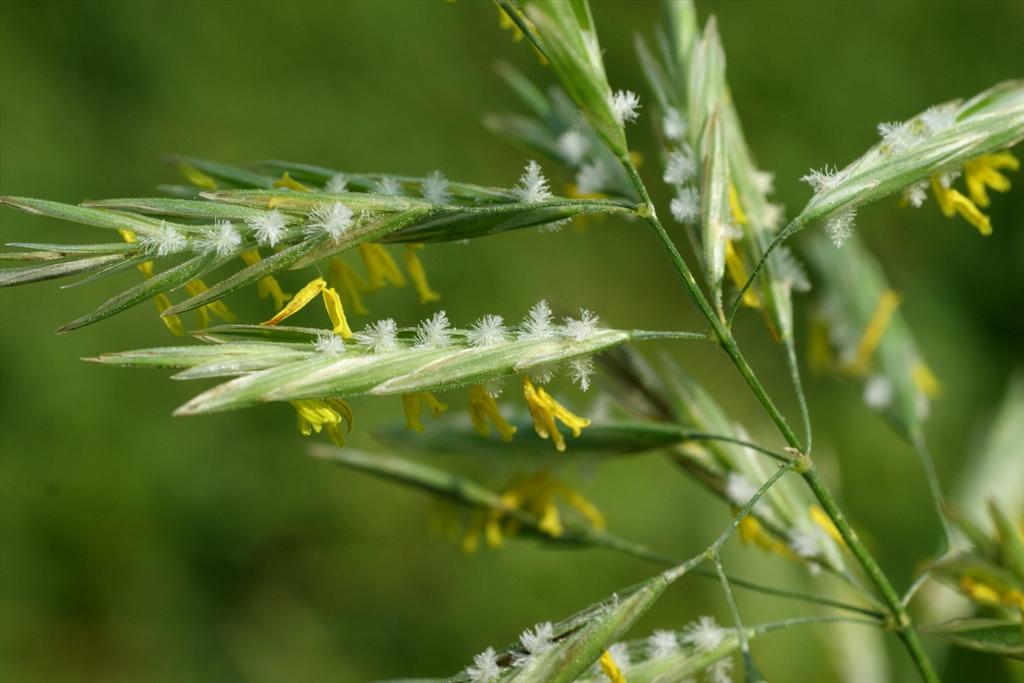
(138, 547)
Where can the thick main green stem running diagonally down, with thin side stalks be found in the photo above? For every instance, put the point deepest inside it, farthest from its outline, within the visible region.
(904, 625)
